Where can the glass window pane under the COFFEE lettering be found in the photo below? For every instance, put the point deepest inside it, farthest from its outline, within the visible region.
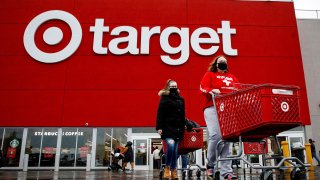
(68, 147)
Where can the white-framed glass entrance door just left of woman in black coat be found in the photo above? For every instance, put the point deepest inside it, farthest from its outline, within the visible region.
(141, 149)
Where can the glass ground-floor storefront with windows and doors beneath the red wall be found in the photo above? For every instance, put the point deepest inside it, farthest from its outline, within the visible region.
(68, 148)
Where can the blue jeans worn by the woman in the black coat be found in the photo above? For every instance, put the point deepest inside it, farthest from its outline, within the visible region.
(171, 153)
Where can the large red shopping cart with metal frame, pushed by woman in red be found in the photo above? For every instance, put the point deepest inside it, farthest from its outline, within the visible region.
(255, 112)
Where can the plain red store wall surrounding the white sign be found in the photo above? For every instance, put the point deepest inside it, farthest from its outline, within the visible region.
(121, 90)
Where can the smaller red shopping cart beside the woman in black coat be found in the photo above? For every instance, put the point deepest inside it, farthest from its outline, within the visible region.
(192, 141)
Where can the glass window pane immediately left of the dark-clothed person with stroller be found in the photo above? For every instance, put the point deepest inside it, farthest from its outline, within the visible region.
(103, 152)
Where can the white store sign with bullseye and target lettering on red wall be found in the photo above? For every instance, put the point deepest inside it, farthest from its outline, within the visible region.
(53, 35)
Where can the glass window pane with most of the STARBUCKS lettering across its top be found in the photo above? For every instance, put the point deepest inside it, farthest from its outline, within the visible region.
(49, 145)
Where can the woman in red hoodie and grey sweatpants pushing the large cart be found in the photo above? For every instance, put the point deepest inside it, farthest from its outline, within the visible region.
(217, 80)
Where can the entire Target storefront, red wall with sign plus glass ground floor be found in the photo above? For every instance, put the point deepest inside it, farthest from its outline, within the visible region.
(80, 78)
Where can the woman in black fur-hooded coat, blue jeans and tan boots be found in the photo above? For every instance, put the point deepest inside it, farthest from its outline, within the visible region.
(171, 125)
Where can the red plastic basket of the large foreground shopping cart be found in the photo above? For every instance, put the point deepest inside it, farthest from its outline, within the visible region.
(258, 111)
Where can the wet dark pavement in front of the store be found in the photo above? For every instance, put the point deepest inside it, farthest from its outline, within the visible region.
(136, 175)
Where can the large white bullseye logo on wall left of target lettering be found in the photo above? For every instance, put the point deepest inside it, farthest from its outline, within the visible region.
(52, 36)
